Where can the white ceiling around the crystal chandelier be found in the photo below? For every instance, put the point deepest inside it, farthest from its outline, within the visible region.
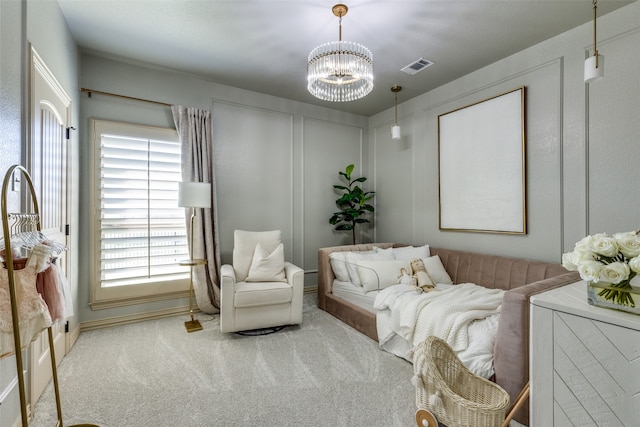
(263, 45)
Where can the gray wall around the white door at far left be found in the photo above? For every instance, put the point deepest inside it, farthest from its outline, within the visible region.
(40, 24)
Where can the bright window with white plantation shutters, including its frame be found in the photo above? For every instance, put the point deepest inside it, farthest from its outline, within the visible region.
(139, 234)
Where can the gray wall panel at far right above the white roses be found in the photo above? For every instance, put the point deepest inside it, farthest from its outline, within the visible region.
(611, 129)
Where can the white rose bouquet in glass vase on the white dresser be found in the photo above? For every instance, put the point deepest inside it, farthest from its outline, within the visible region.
(610, 260)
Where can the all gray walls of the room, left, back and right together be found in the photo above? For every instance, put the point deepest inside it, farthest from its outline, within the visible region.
(582, 141)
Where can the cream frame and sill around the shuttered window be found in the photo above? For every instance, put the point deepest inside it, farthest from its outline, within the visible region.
(153, 290)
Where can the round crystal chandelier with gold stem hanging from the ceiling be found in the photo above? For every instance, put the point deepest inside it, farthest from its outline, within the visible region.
(340, 71)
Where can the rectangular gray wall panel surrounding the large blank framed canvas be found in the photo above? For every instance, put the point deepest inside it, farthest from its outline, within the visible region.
(544, 141)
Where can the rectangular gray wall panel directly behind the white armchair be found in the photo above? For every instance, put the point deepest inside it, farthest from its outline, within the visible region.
(254, 161)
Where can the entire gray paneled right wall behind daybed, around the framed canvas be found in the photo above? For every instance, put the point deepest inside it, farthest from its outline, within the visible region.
(582, 145)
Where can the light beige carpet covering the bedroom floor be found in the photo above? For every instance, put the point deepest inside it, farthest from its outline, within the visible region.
(321, 373)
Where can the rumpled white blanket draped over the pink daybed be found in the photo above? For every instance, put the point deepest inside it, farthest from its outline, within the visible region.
(465, 315)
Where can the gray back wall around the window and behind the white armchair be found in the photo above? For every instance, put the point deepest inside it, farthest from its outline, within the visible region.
(276, 160)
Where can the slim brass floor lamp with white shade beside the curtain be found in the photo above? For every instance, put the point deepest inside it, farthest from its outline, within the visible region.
(193, 195)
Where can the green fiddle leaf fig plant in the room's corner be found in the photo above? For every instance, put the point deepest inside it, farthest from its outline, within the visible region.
(353, 203)
